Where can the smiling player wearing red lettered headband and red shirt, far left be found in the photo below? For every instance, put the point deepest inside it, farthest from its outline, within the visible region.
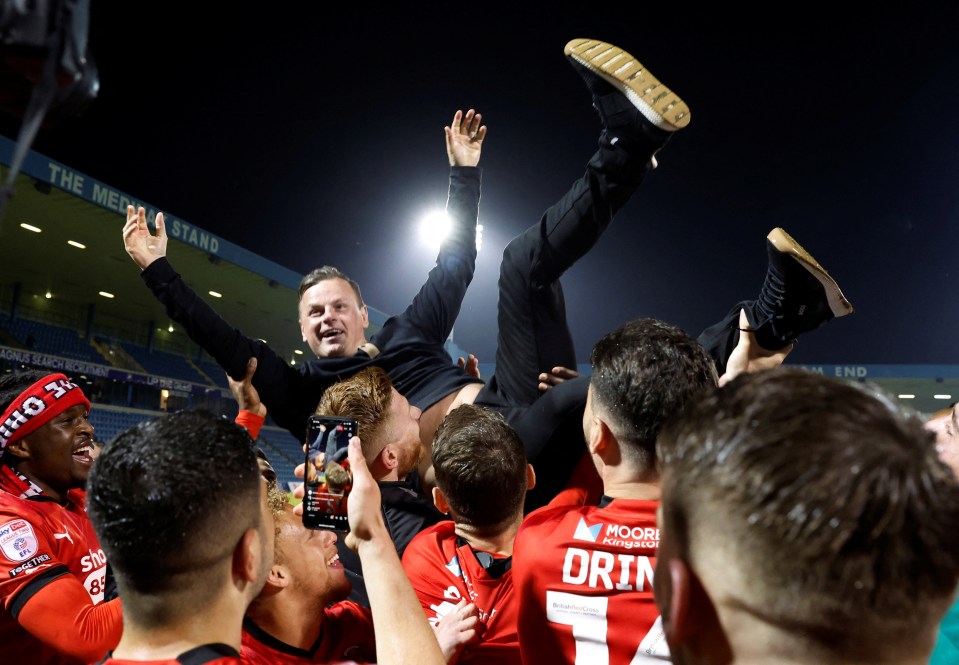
(52, 570)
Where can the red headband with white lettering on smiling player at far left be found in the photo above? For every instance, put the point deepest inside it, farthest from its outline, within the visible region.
(38, 405)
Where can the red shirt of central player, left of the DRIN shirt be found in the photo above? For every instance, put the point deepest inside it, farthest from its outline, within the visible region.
(443, 571)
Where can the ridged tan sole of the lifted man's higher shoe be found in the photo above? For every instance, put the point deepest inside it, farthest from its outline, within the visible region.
(658, 104)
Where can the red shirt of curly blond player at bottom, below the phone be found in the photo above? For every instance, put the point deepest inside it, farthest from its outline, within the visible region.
(347, 636)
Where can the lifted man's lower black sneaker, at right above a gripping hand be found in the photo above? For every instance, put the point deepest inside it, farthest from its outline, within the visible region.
(798, 294)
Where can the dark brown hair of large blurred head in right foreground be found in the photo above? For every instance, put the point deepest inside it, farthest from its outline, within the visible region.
(833, 498)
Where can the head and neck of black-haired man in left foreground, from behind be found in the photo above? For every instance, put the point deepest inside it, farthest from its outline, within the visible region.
(182, 510)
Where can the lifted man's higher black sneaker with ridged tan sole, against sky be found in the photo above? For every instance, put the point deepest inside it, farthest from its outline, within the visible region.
(625, 94)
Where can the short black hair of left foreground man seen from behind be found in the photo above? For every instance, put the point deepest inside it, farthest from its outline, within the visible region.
(171, 497)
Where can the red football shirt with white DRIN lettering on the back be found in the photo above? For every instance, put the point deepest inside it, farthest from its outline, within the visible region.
(584, 580)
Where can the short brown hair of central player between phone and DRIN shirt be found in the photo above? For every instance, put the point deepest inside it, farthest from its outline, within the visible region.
(480, 466)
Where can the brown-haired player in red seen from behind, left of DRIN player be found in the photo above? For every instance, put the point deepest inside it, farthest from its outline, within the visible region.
(481, 482)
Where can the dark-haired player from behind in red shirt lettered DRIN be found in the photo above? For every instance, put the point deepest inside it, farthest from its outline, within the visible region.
(584, 573)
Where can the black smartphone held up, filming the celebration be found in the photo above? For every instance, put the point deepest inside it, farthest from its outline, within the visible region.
(328, 479)
